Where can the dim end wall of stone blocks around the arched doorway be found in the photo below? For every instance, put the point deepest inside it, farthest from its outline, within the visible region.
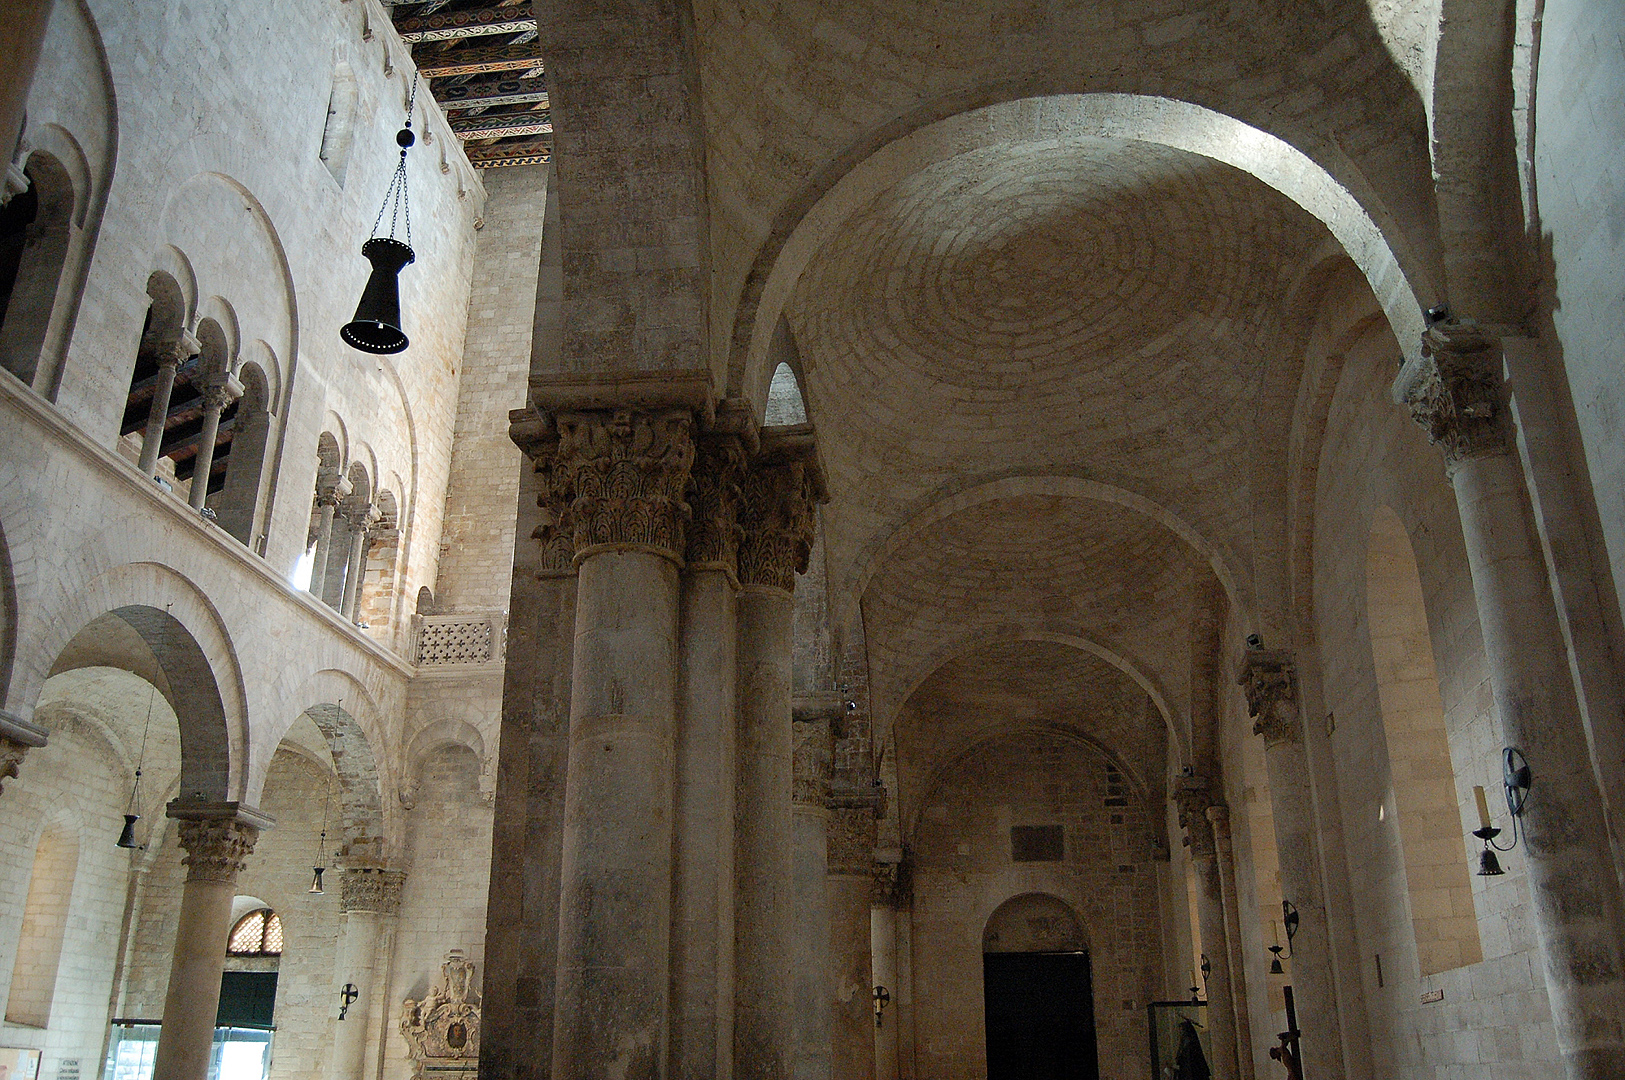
(964, 873)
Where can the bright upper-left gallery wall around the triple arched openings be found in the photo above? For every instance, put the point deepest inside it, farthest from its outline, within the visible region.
(264, 236)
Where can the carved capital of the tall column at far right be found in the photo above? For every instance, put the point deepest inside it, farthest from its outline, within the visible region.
(1455, 392)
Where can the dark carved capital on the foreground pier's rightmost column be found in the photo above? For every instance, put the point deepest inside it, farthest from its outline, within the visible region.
(778, 516)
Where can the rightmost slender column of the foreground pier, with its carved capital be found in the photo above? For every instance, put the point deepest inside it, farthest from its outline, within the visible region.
(778, 538)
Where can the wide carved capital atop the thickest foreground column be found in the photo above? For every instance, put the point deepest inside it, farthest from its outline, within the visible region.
(625, 473)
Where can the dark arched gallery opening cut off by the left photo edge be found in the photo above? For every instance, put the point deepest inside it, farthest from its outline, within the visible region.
(35, 235)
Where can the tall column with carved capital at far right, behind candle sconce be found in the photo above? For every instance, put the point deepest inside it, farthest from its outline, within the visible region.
(1457, 392)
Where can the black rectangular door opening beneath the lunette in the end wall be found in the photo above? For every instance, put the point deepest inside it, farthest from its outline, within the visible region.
(1041, 1014)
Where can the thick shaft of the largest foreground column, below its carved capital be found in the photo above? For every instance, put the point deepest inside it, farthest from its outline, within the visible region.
(618, 813)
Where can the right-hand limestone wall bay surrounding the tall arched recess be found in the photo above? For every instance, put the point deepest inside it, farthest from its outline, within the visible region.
(1494, 1013)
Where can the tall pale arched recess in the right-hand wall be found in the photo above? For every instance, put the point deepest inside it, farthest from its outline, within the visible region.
(1431, 836)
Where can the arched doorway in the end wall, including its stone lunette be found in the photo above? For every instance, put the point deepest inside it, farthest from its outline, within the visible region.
(1038, 993)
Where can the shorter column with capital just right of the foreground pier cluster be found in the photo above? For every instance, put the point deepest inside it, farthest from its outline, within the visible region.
(854, 816)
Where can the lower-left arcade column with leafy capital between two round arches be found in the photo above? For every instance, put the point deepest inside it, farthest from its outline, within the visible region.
(219, 839)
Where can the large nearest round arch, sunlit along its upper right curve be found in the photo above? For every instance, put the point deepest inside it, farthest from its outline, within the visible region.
(1359, 222)
